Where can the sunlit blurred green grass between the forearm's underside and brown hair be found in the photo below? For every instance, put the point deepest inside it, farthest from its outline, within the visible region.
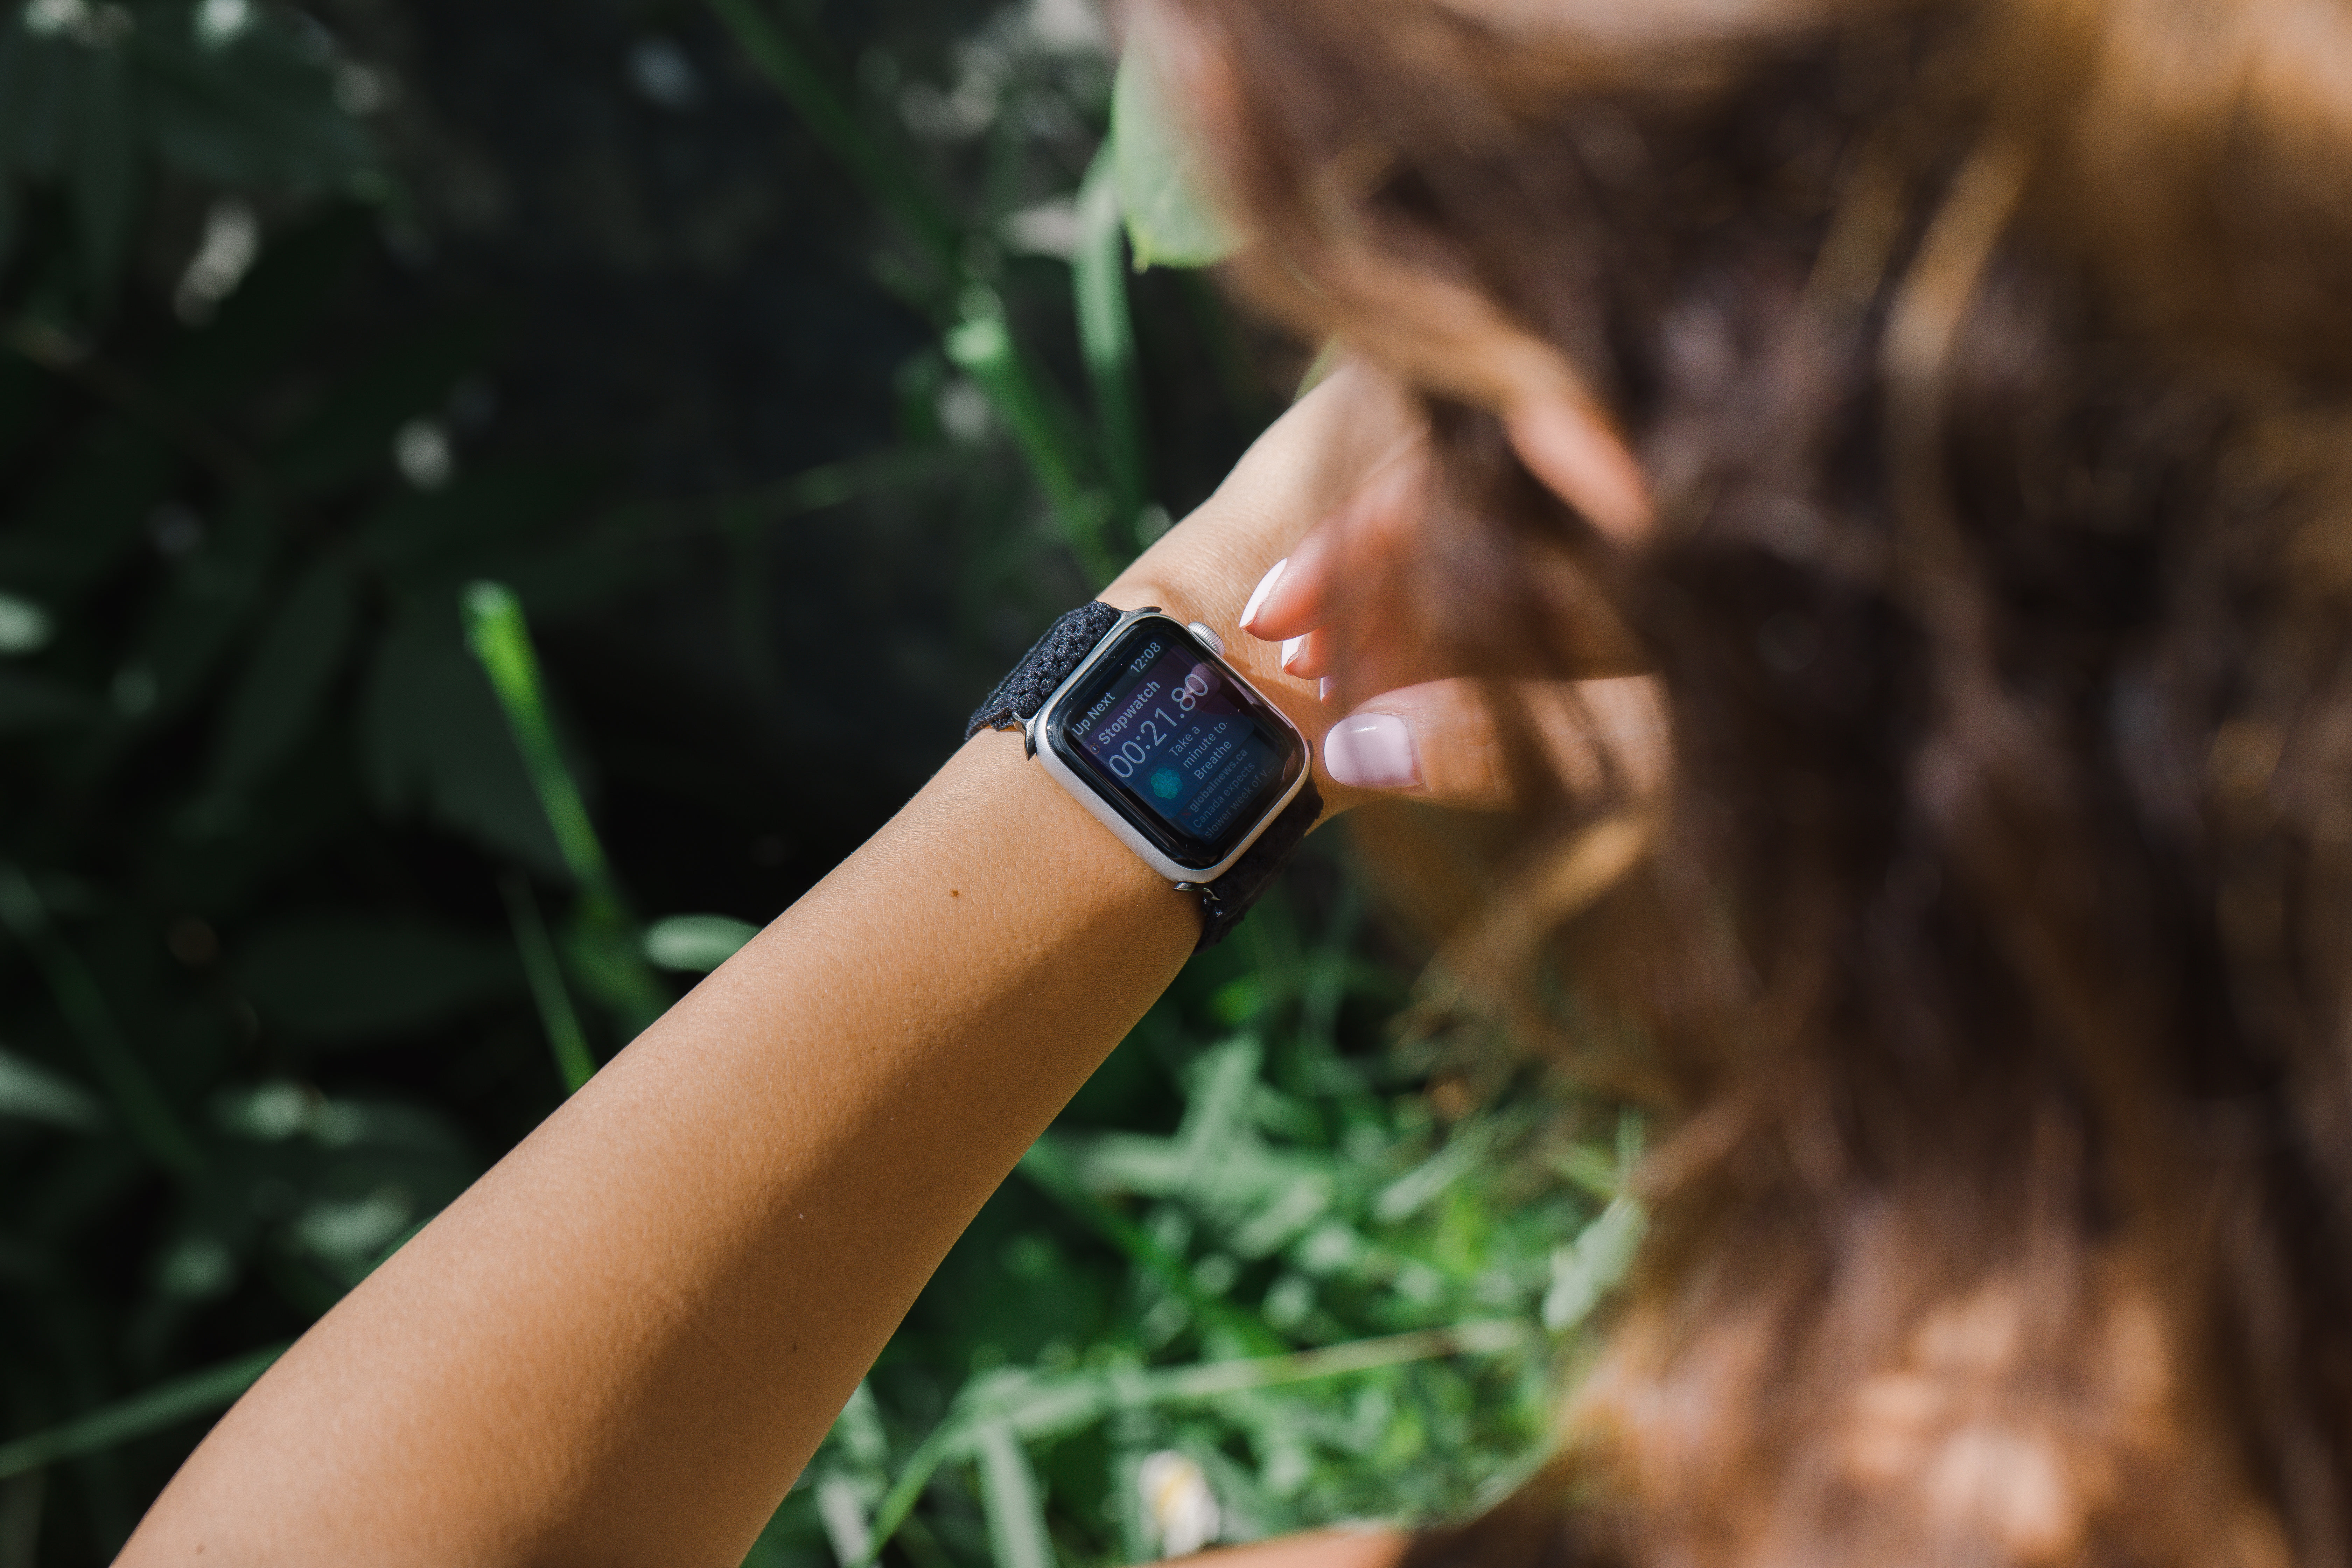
(1314, 1294)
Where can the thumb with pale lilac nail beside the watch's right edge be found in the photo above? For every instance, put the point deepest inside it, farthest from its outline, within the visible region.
(1443, 742)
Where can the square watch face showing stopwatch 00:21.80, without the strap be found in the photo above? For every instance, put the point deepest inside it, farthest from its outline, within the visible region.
(1187, 753)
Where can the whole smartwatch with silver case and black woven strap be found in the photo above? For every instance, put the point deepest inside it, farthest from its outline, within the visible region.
(1147, 725)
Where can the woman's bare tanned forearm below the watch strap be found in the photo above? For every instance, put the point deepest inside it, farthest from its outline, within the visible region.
(627, 1341)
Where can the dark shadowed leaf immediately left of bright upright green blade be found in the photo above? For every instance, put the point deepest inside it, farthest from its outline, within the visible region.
(436, 742)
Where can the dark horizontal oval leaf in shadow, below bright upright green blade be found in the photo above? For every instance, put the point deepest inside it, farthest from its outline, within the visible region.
(368, 977)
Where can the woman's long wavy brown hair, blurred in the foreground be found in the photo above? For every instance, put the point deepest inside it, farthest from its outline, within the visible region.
(1993, 370)
